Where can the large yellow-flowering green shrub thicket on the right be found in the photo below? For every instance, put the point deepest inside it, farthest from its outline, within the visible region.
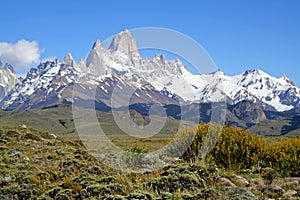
(235, 148)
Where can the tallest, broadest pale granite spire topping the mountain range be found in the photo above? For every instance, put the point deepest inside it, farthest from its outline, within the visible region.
(123, 42)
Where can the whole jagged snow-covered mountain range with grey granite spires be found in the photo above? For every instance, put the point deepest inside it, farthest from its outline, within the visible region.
(152, 80)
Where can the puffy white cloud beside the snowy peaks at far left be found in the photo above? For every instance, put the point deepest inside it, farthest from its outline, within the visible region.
(20, 55)
